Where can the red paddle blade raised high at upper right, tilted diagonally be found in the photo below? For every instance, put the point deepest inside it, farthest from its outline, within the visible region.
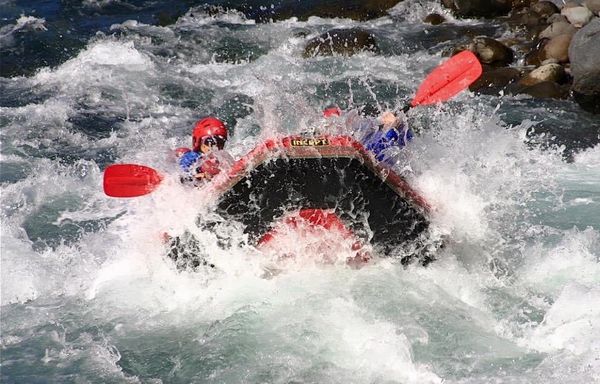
(448, 79)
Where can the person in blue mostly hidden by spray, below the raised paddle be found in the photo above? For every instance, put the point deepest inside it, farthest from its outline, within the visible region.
(377, 134)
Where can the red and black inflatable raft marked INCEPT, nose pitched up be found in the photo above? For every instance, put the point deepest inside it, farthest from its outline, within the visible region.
(326, 181)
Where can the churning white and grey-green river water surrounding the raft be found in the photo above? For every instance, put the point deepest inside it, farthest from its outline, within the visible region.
(89, 296)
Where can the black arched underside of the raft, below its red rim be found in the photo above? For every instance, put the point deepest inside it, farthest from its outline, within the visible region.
(364, 202)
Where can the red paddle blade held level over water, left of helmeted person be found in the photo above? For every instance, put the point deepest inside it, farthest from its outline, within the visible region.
(130, 180)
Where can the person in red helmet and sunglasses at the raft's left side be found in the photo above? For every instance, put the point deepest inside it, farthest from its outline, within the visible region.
(207, 157)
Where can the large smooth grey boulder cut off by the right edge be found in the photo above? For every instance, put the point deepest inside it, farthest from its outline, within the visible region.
(584, 54)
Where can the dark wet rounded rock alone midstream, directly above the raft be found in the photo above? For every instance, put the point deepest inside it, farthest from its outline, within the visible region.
(345, 42)
